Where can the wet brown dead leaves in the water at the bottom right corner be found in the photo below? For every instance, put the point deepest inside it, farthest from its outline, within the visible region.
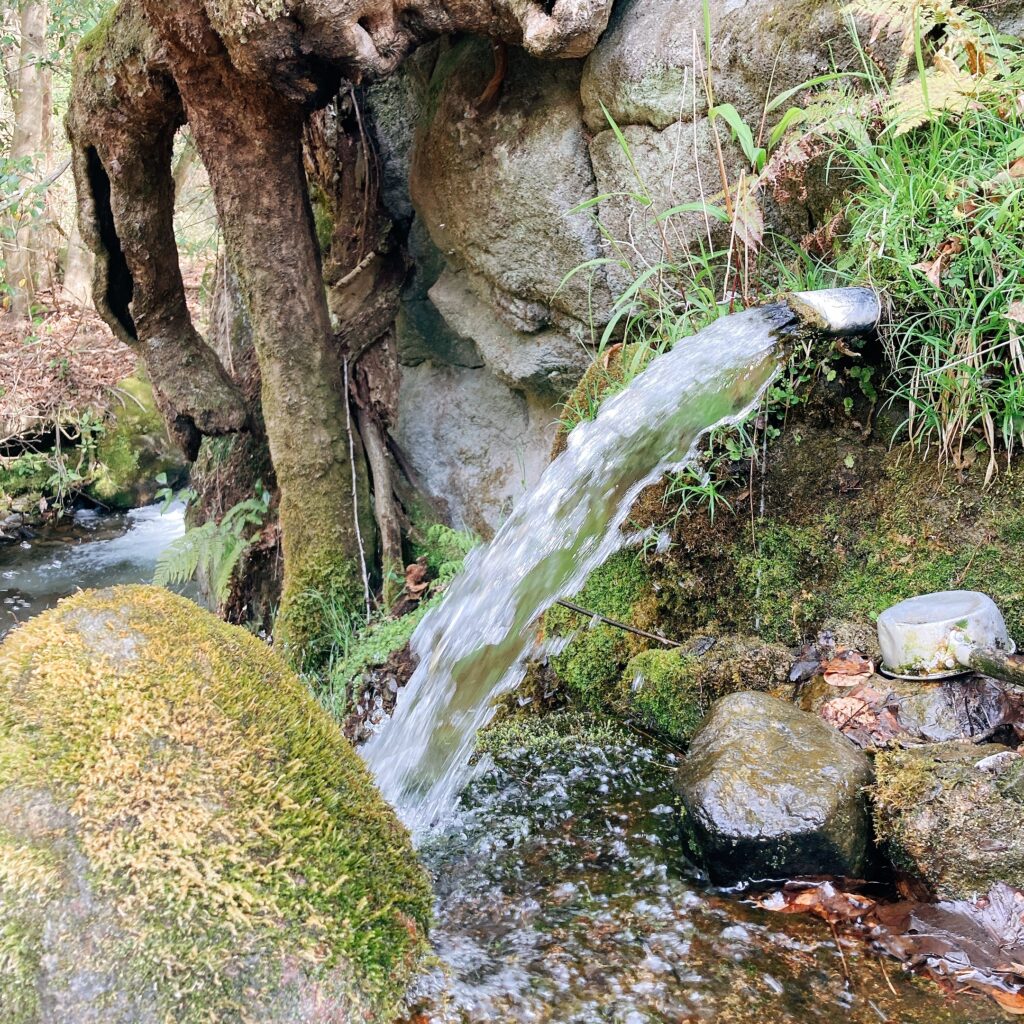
(973, 947)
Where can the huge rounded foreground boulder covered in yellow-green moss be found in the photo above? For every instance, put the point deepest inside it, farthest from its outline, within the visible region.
(184, 835)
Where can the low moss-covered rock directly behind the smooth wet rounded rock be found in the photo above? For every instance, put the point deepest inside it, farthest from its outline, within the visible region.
(670, 692)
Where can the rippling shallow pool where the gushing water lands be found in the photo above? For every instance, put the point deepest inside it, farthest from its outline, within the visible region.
(564, 898)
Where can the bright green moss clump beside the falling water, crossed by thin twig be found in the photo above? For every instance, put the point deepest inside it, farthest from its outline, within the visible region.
(592, 662)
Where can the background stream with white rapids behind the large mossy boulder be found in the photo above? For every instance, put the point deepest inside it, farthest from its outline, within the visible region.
(91, 550)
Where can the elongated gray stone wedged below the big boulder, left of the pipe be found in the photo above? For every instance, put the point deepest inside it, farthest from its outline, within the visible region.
(546, 363)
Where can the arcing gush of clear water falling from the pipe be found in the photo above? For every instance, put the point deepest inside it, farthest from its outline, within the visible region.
(473, 648)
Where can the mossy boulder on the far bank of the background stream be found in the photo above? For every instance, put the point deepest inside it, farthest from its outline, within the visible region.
(134, 450)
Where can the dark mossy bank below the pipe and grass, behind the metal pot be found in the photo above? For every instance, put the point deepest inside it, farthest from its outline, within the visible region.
(850, 527)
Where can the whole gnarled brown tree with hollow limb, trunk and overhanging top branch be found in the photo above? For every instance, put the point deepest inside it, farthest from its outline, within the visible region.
(247, 82)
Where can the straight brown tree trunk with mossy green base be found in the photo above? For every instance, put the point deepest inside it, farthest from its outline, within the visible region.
(248, 134)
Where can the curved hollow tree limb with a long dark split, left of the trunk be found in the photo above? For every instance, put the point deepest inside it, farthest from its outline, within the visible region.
(124, 112)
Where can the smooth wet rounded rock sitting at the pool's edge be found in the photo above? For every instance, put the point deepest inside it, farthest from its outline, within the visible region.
(772, 792)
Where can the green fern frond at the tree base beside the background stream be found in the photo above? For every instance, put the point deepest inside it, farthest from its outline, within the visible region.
(215, 549)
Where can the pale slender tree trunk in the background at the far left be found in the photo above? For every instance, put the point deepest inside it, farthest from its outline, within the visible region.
(30, 143)
